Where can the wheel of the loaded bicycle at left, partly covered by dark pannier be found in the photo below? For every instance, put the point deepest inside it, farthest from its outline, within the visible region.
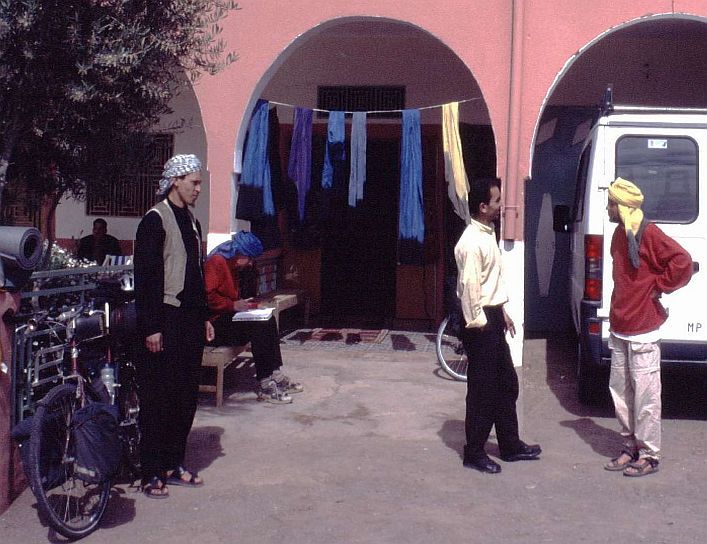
(69, 505)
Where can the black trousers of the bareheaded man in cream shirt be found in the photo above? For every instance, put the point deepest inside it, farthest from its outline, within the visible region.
(492, 387)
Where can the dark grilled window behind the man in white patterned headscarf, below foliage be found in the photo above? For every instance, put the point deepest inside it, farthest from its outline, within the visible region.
(134, 193)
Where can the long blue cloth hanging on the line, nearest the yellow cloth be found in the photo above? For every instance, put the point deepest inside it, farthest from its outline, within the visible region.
(412, 220)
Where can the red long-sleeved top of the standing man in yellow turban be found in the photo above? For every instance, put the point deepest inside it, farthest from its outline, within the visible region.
(665, 266)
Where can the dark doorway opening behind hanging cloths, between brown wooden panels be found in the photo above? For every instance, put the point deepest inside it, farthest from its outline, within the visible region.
(359, 246)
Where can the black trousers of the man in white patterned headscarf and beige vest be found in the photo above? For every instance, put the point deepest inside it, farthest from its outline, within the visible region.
(168, 390)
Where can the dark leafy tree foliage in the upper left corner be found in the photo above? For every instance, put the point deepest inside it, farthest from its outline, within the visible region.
(81, 78)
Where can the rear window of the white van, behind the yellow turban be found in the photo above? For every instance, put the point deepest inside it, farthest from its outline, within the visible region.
(665, 168)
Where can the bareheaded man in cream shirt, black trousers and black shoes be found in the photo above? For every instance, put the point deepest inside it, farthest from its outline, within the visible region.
(492, 382)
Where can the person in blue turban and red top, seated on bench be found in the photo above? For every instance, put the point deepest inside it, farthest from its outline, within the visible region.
(221, 273)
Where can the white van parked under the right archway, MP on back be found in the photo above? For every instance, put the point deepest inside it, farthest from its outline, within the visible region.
(663, 151)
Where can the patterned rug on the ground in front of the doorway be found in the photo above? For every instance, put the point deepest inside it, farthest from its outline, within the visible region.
(359, 340)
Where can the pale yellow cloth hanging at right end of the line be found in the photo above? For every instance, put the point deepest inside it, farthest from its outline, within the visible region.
(454, 172)
